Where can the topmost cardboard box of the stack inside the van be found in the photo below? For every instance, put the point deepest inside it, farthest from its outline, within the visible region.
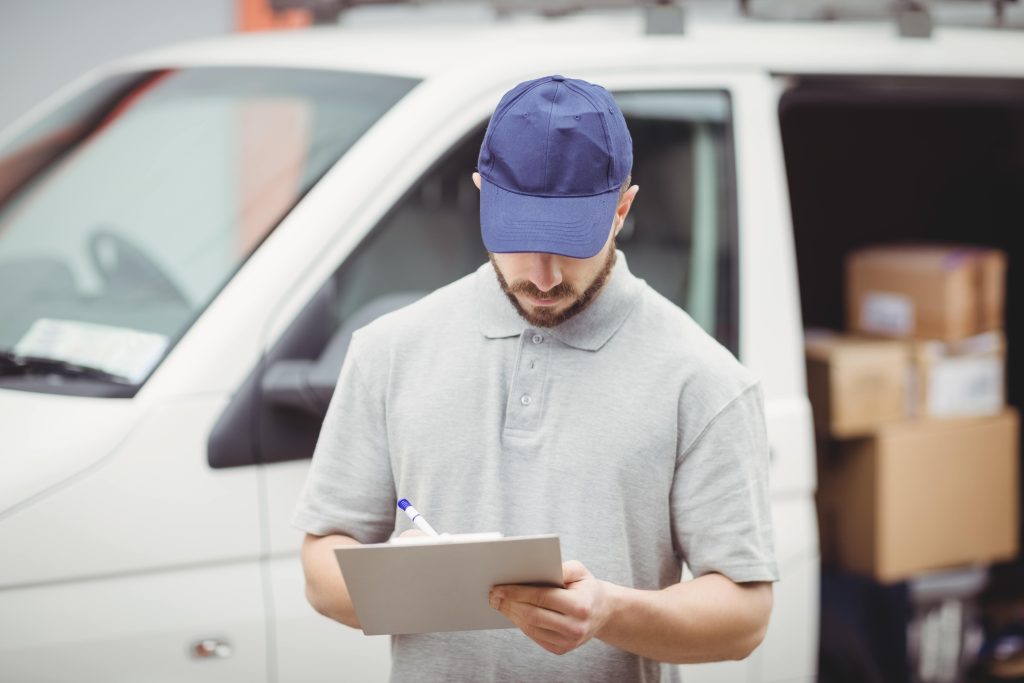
(925, 292)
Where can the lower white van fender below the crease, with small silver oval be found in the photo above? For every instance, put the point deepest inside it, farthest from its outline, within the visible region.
(136, 628)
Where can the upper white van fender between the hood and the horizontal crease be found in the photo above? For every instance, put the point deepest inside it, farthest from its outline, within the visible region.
(152, 504)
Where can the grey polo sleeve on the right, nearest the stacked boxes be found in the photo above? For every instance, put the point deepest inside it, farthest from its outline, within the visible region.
(720, 496)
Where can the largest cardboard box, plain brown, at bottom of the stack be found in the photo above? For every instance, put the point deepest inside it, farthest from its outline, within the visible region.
(923, 495)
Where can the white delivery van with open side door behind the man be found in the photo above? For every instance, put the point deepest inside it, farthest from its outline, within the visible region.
(189, 238)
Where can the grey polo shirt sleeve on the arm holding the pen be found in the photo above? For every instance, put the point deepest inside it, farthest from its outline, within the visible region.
(351, 489)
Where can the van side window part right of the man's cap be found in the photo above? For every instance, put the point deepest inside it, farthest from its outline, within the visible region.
(681, 235)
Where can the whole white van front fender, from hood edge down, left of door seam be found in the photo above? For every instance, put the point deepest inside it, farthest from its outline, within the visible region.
(124, 567)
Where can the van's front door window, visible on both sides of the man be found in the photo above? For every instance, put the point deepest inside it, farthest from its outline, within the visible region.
(681, 238)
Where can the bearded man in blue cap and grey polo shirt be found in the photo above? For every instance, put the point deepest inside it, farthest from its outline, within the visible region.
(553, 392)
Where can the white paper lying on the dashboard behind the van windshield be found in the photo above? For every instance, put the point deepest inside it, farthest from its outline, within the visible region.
(122, 352)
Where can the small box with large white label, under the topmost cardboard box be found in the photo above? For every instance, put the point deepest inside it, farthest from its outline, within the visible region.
(959, 379)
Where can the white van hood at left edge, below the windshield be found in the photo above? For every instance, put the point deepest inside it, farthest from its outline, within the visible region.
(47, 439)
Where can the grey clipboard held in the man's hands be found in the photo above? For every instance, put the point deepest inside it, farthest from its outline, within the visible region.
(435, 584)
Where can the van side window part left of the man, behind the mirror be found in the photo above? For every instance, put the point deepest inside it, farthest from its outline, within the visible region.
(429, 240)
